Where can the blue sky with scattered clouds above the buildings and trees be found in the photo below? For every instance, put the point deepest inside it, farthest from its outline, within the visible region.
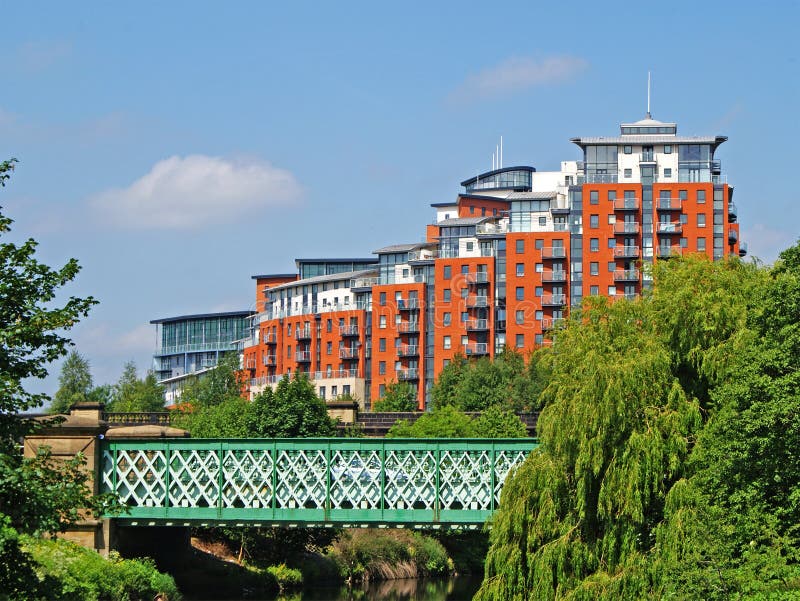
(176, 149)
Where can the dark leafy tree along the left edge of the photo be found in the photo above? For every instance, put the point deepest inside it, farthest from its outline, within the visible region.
(35, 494)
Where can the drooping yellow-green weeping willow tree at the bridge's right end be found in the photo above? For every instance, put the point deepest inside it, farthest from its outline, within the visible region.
(627, 396)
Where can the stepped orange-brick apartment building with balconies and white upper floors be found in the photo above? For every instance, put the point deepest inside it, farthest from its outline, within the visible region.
(500, 265)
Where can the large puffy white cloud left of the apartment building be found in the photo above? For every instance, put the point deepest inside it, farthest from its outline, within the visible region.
(197, 191)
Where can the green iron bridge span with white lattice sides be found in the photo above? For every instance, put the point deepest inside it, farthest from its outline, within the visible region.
(320, 482)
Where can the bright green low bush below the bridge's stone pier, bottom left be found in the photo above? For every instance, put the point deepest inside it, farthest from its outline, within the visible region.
(67, 571)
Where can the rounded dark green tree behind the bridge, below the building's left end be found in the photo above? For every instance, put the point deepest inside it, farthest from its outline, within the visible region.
(293, 411)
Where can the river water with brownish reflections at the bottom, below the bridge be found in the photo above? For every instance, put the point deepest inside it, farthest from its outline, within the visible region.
(459, 588)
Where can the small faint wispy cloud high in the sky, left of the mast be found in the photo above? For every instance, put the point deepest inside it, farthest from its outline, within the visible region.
(520, 73)
